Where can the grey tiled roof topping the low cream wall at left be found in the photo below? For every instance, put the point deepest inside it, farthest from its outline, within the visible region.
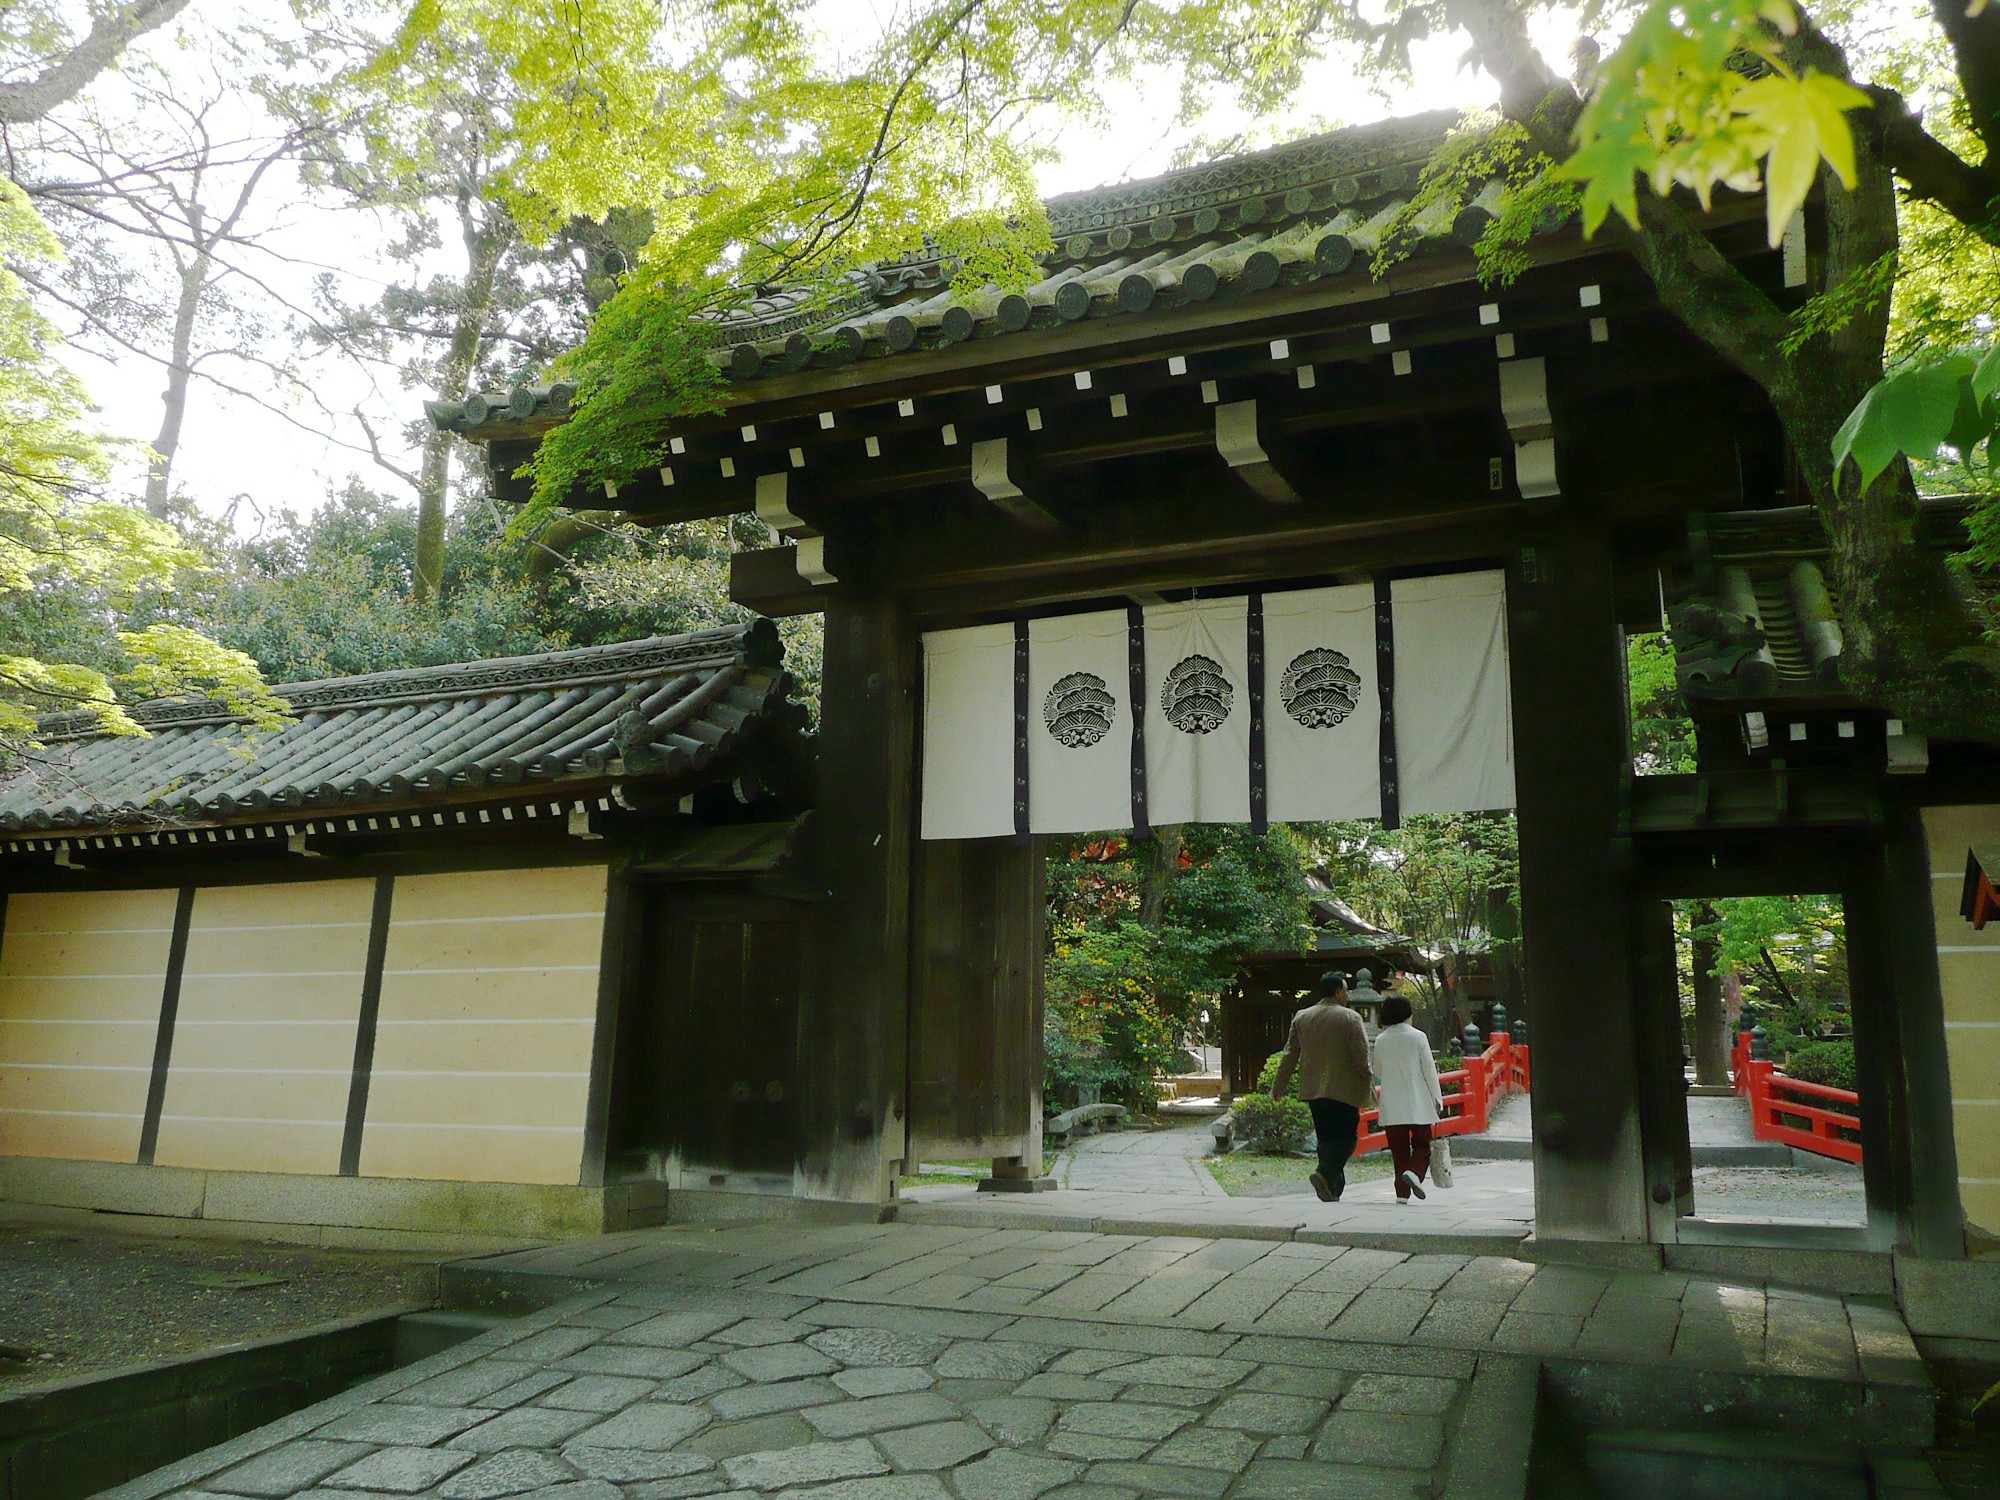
(567, 723)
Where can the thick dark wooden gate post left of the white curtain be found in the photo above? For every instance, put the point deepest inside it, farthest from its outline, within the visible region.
(853, 1029)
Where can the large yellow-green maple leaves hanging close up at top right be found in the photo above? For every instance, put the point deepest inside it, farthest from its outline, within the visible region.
(1677, 107)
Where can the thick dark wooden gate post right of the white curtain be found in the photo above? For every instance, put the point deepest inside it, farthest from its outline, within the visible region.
(1569, 753)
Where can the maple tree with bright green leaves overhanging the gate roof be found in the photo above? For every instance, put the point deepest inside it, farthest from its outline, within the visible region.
(1689, 99)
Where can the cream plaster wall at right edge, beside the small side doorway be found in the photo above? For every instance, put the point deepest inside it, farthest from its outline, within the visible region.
(1969, 969)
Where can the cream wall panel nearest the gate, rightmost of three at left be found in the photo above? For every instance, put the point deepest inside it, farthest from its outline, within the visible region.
(487, 1023)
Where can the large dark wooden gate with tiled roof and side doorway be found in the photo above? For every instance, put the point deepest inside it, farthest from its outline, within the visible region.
(1213, 395)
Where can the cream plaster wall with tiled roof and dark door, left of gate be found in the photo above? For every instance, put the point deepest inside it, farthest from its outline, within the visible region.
(505, 947)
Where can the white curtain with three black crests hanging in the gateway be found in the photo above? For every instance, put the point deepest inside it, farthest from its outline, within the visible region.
(1225, 711)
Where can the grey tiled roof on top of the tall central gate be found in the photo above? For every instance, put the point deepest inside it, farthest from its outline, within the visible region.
(1299, 213)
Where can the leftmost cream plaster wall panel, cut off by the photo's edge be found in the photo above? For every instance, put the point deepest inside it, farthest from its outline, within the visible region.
(81, 979)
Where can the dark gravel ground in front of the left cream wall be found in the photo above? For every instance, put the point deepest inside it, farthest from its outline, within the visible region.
(75, 1301)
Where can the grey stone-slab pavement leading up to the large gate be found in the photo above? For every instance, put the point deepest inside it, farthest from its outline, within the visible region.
(915, 1363)
